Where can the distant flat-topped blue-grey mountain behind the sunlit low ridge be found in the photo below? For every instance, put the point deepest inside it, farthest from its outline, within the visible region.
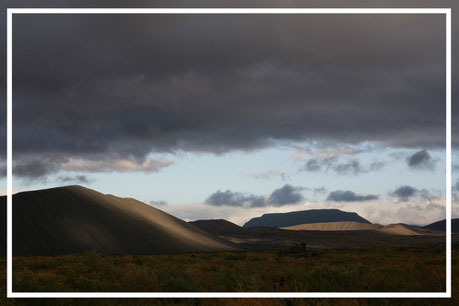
(305, 217)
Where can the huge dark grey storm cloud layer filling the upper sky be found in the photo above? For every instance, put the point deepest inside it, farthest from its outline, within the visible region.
(87, 85)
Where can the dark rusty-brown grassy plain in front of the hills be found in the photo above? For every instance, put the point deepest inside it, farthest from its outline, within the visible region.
(360, 270)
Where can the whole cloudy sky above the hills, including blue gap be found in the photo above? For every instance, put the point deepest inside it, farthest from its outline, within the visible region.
(233, 116)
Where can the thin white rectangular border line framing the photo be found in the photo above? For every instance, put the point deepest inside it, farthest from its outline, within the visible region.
(13, 11)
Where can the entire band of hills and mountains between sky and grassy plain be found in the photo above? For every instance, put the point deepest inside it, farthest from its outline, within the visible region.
(75, 219)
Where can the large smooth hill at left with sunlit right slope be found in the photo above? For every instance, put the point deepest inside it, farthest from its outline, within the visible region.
(74, 219)
